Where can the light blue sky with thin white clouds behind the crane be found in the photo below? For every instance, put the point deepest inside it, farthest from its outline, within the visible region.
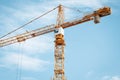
(92, 50)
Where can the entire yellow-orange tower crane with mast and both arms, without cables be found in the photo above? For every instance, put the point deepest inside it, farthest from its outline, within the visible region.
(58, 29)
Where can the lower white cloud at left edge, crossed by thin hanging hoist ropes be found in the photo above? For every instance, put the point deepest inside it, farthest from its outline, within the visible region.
(26, 62)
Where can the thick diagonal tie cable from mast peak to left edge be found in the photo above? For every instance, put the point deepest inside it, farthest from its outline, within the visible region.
(28, 23)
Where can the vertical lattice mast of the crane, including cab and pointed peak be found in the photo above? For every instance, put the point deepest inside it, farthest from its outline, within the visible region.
(59, 73)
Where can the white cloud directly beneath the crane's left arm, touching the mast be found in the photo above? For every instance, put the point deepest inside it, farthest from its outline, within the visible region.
(35, 46)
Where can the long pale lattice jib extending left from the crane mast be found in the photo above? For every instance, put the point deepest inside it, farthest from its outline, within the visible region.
(27, 35)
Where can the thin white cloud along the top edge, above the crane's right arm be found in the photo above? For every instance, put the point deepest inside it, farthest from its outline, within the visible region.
(86, 3)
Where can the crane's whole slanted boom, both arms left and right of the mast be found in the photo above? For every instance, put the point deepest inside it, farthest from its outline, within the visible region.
(50, 28)
